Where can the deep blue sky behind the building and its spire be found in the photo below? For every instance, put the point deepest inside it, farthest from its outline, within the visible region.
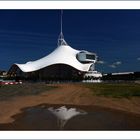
(114, 35)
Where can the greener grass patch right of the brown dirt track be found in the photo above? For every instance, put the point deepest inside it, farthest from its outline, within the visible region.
(118, 90)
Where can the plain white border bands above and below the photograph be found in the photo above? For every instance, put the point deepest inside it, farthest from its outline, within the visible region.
(70, 134)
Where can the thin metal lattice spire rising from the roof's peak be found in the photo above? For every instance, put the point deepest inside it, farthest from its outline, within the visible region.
(61, 40)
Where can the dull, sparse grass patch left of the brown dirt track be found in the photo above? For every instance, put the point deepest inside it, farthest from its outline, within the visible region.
(9, 91)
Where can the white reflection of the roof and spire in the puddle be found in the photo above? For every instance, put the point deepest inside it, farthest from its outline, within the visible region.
(64, 114)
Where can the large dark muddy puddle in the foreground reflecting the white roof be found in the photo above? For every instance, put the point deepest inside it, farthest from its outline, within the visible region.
(60, 117)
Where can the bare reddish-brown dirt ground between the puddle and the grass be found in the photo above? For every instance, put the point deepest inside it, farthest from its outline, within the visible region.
(72, 94)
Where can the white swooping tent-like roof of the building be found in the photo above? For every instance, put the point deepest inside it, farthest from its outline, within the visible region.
(63, 54)
